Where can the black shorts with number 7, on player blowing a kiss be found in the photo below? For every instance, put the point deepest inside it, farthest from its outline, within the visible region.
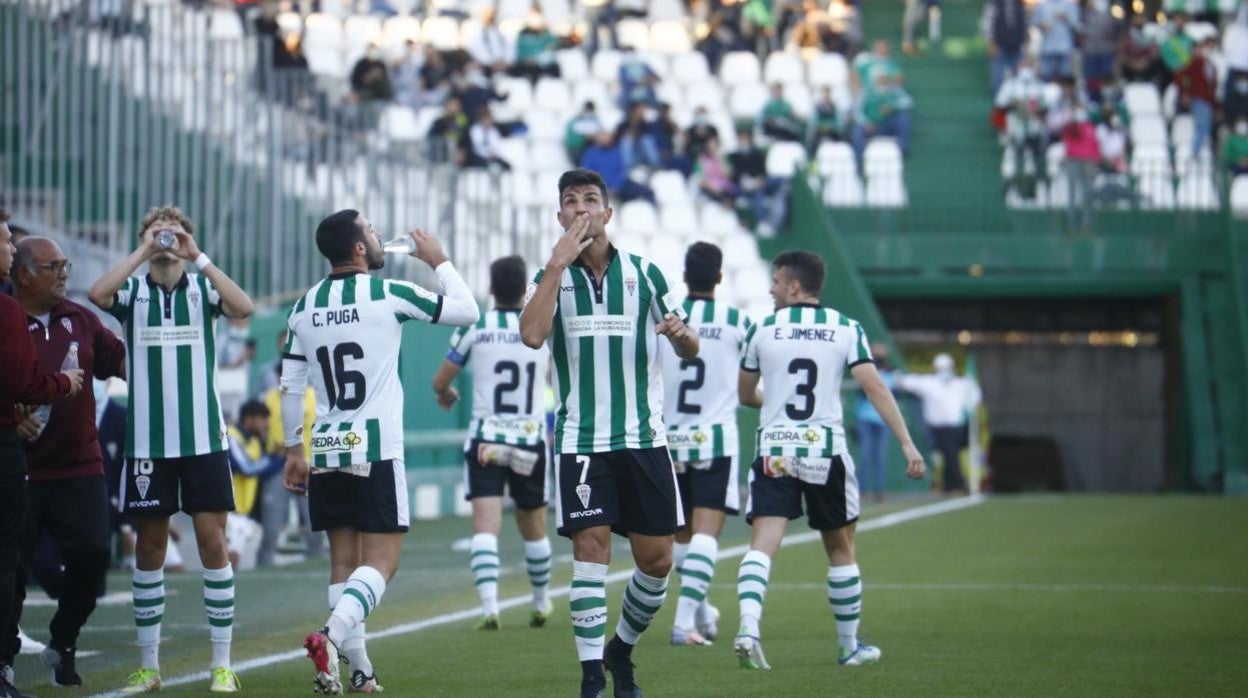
(633, 491)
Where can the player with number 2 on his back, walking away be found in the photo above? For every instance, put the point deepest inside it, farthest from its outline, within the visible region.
(701, 413)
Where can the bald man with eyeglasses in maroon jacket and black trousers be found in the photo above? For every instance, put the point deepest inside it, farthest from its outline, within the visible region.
(68, 495)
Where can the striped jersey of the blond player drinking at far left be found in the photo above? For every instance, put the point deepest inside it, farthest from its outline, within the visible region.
(172, 368)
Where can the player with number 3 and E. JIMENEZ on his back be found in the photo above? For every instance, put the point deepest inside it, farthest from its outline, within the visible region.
(801, 354)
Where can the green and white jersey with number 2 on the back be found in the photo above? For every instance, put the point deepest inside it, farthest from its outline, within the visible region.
(701, 394)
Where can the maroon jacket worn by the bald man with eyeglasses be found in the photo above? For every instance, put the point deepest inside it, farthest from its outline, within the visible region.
(71, 446)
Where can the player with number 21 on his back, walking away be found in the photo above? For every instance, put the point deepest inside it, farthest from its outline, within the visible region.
(506, 445)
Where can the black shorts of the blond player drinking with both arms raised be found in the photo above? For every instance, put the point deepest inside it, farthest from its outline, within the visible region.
(162, 488)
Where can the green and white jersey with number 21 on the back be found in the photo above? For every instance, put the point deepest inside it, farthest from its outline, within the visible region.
(509, 379)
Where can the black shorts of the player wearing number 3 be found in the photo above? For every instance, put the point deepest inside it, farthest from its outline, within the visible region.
(831, 506)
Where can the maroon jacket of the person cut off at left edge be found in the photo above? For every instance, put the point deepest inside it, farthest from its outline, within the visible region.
(21, 379)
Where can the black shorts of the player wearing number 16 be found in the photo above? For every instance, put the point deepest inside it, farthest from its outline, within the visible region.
(368, 498)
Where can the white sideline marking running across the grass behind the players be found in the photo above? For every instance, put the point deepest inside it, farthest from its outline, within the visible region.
(470, 614)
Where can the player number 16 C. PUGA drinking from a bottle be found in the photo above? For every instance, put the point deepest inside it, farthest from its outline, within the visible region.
(350, 328)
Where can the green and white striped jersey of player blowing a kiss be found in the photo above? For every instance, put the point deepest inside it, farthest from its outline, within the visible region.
(606, 356)
